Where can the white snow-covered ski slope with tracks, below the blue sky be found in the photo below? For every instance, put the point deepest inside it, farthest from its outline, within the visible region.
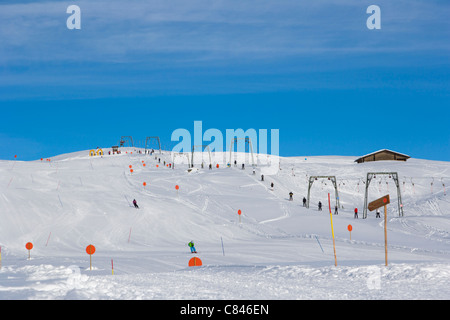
(279, 249)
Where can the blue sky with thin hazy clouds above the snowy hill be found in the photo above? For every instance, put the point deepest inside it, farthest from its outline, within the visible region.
(144, 68)
